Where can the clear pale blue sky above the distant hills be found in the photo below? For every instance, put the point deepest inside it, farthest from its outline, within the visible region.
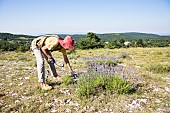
(37, 17)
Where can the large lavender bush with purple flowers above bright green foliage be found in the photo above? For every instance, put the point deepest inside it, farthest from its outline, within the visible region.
(105, 74)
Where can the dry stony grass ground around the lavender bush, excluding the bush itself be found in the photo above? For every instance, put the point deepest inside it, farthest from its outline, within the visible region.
(20, 92)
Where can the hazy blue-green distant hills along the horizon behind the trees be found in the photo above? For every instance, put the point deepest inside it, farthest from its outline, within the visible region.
(106, 37)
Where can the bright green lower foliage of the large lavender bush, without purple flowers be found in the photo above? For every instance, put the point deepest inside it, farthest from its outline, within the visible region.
(93, 83)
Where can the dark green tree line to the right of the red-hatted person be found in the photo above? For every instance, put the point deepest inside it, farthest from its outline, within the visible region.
(93, 41)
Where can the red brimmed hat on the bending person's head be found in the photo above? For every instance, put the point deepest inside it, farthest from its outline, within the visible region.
(67, 42)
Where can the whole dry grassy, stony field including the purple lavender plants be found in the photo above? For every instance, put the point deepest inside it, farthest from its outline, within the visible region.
(110, 80)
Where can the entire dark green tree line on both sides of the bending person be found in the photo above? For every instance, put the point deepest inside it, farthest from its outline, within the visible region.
(9, 42)
